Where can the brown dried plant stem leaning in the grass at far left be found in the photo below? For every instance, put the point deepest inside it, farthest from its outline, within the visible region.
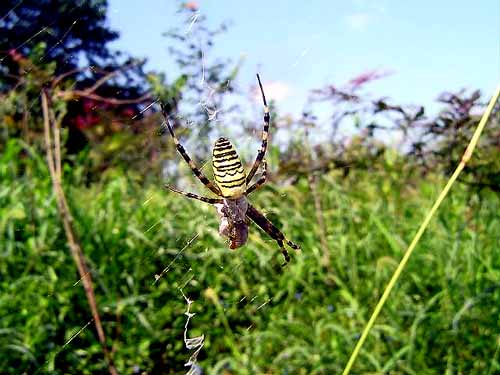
(52, 143)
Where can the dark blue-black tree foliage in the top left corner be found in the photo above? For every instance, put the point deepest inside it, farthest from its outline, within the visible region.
(72, 30)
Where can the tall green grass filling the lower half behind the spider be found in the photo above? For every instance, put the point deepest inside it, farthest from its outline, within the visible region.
(441, 318)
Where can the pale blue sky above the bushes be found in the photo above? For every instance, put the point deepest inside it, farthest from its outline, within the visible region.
(429, 46)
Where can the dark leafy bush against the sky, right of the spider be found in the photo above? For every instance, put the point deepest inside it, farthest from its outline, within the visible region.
(361, 128)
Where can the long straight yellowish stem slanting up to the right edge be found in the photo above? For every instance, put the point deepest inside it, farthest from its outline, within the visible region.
(465, 158)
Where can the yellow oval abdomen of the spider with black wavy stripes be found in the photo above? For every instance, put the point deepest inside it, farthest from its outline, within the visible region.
(229, 173)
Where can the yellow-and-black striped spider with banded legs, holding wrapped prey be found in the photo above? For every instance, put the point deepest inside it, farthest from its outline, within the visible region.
(233, 186)
